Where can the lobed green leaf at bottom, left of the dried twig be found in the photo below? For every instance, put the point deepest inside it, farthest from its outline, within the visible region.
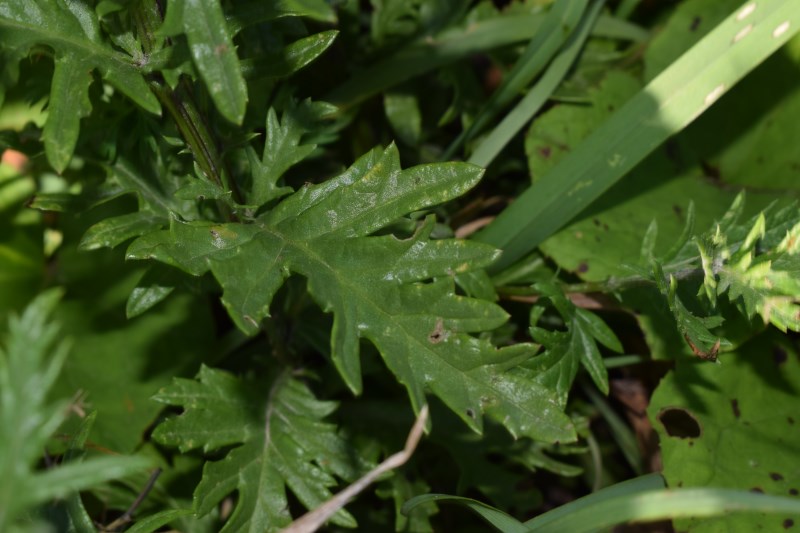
(281, 441)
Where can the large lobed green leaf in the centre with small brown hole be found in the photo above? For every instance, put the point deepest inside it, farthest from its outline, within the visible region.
(375, 286)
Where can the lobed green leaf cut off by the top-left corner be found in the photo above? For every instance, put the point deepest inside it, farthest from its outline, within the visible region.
(72, 30)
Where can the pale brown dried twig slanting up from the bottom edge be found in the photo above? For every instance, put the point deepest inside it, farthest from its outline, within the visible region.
(313, 520)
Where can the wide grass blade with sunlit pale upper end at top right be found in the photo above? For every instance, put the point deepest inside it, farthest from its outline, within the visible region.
(668, 104)
